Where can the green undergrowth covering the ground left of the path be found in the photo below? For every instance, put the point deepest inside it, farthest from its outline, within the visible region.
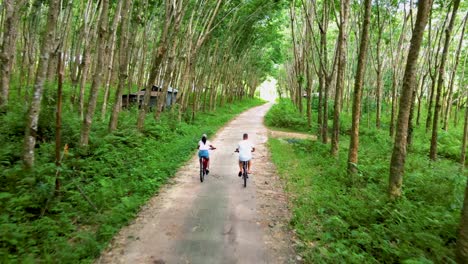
(102, 186)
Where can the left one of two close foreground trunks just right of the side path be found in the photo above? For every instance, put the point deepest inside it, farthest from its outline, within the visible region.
(340, 78)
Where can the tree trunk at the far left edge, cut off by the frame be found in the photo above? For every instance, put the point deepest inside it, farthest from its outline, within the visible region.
(7, 50)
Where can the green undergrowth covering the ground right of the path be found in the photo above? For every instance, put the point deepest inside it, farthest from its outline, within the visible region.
(350, 220)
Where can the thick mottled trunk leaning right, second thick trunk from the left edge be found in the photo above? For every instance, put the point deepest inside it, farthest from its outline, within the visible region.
(35, 107)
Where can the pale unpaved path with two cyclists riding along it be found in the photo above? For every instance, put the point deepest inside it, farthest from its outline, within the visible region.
(217, 221)
